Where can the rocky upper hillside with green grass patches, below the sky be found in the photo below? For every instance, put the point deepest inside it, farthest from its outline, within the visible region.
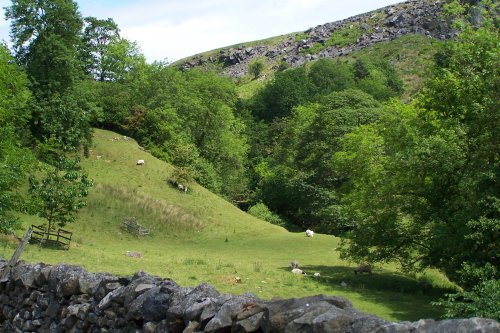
(417, 18)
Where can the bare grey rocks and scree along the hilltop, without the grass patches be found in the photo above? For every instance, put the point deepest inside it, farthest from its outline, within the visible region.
(411, 17)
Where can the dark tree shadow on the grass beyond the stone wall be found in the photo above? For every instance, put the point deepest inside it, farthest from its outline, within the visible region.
(407, 298)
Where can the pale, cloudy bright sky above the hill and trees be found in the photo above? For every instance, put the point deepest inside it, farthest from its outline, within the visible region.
(174, 29)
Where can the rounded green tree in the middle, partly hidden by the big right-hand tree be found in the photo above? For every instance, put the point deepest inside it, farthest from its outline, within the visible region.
(301, 182)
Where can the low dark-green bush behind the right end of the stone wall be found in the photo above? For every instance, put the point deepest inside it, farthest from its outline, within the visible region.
(481, 301)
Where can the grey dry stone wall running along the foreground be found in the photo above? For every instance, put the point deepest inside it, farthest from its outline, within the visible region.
(64, 298)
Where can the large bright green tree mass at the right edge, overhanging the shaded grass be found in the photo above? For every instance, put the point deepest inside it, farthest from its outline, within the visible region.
(423, 183)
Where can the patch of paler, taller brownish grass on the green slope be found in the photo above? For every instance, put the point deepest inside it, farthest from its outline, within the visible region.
(158, 214)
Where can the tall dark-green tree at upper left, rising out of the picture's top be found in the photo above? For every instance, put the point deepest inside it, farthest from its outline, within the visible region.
(47, 38)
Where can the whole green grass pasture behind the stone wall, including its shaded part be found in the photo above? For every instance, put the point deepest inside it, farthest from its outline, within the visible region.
(198, 237)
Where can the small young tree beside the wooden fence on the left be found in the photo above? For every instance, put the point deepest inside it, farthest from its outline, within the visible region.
(60, 192)
